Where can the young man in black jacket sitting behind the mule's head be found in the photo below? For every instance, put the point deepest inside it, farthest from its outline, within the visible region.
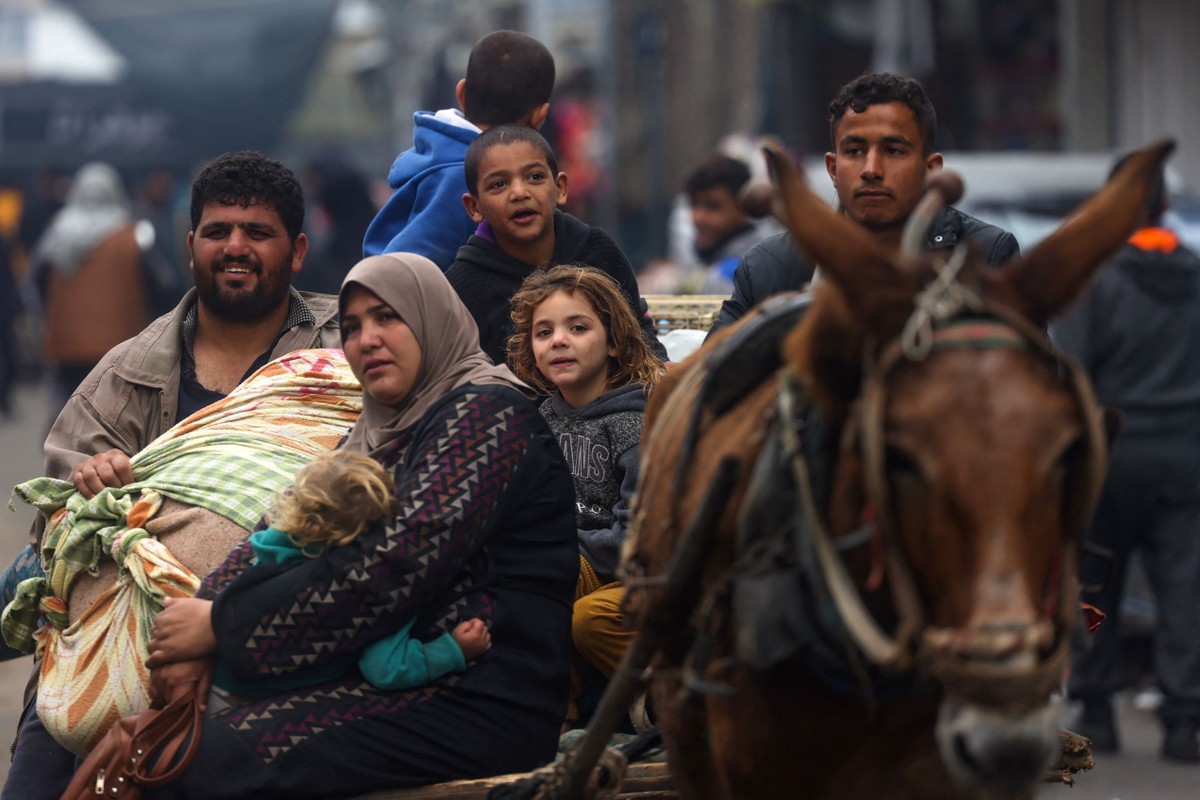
(883, 130)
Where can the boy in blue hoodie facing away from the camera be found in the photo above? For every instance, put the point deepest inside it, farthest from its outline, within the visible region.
(509, 81)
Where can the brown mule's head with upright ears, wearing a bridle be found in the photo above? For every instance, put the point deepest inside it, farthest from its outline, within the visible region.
(981, 455)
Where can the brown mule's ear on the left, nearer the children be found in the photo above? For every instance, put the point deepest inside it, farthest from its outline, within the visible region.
(878, 292)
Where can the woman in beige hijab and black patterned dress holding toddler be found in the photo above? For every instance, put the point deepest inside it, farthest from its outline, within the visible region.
(485, 527)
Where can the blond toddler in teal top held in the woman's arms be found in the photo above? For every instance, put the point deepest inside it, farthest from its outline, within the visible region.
(333, 501)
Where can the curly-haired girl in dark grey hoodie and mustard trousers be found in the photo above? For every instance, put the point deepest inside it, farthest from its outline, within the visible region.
(579, 339)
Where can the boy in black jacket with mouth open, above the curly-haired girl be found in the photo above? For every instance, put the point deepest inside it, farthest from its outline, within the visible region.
(514, 187)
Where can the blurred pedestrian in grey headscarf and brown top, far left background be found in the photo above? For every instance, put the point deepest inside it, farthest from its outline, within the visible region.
(88, 267)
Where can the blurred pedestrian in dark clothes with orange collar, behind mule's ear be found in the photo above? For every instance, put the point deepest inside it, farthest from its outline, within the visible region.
(1137, 333)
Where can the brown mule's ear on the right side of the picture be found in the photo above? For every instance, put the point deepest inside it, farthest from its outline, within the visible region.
(1048, 279)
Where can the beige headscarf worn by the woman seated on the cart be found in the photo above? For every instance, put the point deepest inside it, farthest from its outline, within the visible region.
(451, 354)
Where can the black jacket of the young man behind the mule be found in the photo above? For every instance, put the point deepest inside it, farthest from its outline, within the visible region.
(775, 266)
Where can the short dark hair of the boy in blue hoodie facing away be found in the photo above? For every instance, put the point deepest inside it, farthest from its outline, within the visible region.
(509, 75)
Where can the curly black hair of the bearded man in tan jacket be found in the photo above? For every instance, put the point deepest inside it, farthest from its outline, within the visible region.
(247, 178)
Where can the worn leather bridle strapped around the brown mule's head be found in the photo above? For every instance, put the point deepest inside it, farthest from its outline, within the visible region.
(969, 664)
